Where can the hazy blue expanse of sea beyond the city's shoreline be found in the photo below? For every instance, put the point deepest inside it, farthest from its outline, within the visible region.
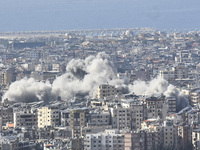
(48, 15)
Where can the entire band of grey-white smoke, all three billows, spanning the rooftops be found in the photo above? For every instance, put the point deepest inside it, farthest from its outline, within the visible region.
(84, 76)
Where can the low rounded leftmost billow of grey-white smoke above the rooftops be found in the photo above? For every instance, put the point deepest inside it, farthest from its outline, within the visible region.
(29, 90)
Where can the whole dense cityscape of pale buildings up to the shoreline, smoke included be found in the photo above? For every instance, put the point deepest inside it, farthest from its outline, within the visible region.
(112, 89)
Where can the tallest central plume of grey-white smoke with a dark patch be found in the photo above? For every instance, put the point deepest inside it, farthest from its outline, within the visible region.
(85, 75)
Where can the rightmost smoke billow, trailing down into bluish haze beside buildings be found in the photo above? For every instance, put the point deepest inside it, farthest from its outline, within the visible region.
(159, 86)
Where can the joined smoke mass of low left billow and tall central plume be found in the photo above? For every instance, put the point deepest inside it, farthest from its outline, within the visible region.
(82, 76)
